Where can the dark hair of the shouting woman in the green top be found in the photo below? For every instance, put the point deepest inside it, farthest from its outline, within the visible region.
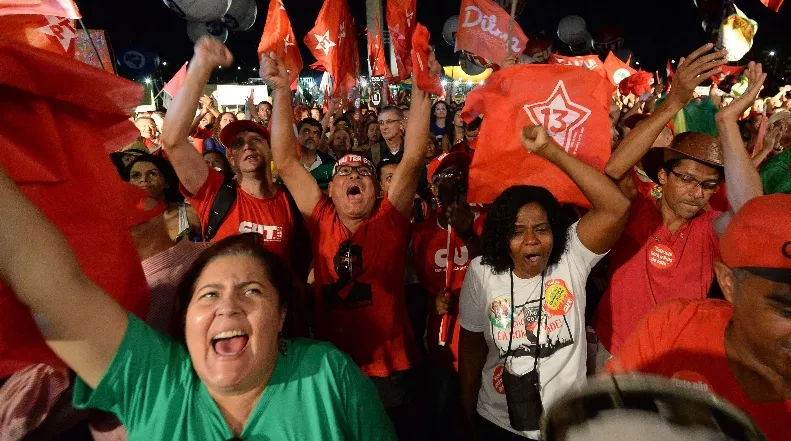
(248, 244)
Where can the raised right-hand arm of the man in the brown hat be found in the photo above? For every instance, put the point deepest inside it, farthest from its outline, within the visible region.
(744, 182)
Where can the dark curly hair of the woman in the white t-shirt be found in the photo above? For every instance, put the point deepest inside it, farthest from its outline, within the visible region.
(498, 230)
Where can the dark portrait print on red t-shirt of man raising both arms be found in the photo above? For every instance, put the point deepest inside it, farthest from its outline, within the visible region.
(347, 292)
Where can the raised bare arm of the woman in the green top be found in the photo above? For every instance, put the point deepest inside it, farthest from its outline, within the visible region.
(81, 323)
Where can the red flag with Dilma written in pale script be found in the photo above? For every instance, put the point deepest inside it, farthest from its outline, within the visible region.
(483, 31)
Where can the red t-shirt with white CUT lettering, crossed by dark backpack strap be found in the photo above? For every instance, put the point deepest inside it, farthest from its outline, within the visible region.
(273, 218)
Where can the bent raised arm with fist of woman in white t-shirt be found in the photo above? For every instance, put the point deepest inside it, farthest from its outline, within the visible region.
(600, 227)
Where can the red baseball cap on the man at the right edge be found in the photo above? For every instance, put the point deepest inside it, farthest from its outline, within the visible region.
(758, 238)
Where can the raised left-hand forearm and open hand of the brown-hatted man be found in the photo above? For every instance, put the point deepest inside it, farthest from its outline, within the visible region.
(691, 72)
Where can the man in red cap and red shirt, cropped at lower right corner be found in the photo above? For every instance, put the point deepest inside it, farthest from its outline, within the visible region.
(739, 349)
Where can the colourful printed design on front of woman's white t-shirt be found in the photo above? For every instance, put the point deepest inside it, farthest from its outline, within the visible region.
(526, 340)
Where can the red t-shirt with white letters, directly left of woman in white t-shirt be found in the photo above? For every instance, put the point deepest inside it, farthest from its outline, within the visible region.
(430, 254)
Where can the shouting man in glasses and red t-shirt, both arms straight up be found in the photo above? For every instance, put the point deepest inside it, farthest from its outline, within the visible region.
(359, 243)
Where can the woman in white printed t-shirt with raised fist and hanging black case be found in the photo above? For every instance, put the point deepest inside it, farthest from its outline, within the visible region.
(532, 271)
